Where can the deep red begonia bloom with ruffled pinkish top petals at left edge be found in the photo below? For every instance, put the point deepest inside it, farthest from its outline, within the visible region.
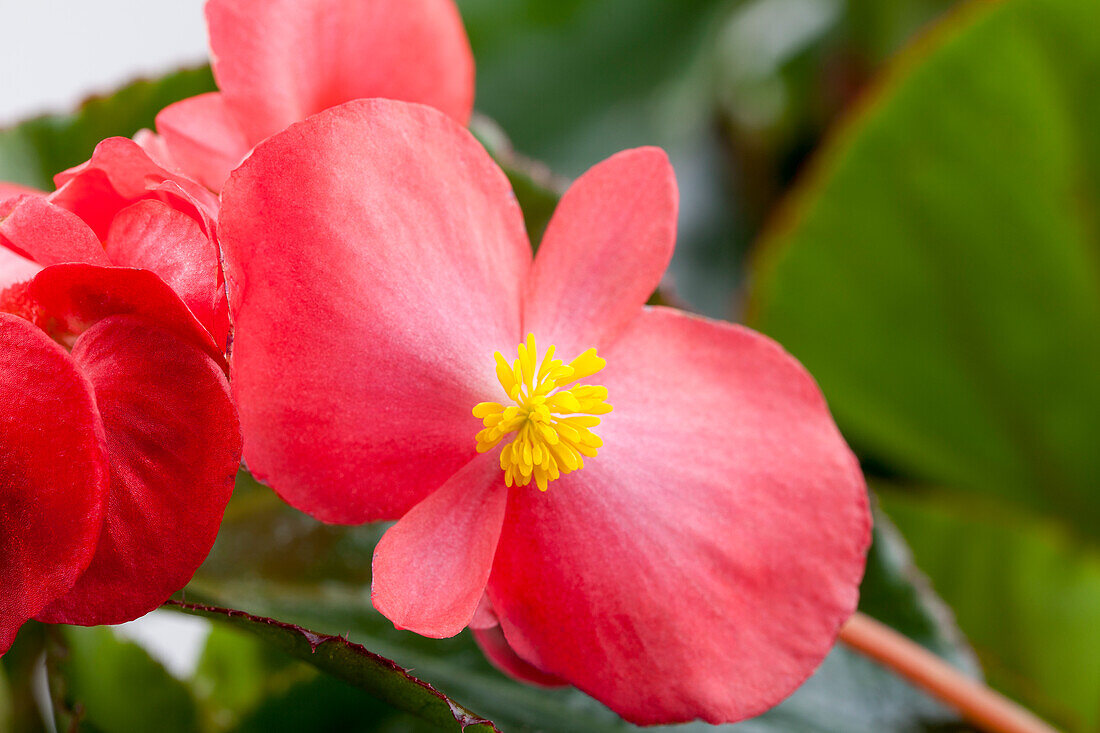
(119, 442)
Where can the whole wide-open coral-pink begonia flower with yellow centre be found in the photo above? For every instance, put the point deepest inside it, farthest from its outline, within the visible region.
(697, 560)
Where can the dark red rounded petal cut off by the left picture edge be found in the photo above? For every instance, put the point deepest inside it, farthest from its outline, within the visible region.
(53, 474)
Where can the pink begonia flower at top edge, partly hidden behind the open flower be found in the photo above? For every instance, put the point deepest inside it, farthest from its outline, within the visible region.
(278, 62)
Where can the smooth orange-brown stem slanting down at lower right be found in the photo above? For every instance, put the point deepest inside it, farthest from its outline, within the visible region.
(977, 704)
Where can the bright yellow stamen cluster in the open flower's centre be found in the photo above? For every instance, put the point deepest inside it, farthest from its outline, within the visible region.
(552, 417)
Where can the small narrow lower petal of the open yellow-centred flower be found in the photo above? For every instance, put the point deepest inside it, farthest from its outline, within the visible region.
(431, 568)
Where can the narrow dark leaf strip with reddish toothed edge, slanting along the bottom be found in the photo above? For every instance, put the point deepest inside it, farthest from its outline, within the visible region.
(351, 663)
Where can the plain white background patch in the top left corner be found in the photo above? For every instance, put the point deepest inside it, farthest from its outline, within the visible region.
(54, 53)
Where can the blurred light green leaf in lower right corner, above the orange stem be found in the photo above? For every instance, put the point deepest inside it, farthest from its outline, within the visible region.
(1042, 643)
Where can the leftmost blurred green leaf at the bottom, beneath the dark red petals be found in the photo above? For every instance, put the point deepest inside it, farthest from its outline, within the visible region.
(101, 683)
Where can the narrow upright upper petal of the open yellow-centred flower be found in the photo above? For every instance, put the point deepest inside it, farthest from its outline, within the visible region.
(604, 253)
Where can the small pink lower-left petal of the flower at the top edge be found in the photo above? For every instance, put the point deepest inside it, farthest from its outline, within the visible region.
(203, 138)
